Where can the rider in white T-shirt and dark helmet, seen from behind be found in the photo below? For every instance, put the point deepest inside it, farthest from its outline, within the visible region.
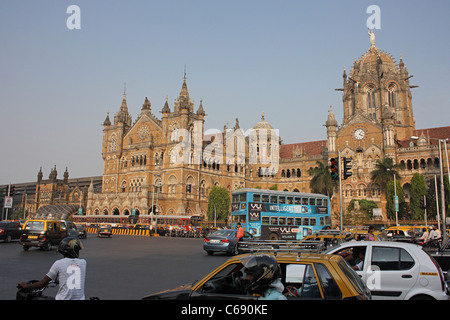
(70, 272)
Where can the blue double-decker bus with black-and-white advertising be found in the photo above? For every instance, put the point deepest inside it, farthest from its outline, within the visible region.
(279, 215)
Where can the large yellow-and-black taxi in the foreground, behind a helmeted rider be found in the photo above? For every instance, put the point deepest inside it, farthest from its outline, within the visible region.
(303, 276)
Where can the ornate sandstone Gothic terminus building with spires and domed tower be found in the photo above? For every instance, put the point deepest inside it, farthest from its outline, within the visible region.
(378, 121)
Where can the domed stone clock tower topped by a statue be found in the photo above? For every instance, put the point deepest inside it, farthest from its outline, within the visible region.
(377, 110)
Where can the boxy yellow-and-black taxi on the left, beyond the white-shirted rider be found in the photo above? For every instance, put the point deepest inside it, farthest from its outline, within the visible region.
(42, 233)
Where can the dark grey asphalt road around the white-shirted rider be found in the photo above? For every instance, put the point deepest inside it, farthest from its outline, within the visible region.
(118, 268)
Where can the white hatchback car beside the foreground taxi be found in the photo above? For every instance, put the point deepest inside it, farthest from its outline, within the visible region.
(395, 270)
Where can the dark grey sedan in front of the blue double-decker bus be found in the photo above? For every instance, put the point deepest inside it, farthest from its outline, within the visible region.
(224, 240)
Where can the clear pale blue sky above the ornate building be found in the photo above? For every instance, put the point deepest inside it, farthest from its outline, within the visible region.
(242, 57)
